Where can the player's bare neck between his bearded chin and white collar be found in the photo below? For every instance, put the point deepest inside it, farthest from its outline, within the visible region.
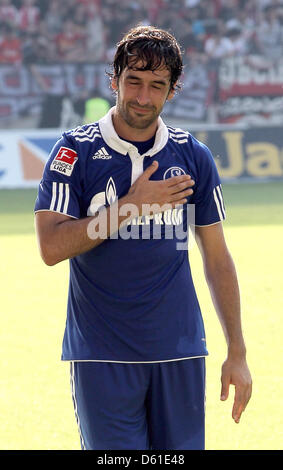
(131, 133)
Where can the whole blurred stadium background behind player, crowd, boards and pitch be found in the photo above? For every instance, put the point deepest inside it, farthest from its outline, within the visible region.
(53, 61)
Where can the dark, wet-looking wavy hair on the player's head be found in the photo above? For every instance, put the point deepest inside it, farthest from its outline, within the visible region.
(153, 48)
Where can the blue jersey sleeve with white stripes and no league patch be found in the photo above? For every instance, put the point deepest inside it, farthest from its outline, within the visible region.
(208, 197)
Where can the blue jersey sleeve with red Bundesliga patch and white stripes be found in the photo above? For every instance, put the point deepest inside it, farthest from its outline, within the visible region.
(59, 189)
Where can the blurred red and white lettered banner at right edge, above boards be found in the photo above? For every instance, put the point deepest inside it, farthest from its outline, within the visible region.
(250, 88)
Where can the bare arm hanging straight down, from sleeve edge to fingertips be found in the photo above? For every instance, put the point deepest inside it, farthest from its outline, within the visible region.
(222, 280)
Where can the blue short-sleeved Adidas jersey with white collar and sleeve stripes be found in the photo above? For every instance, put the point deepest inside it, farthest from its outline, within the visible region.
(132, 298)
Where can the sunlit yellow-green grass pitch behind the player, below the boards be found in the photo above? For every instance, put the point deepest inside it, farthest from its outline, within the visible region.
(35, 402)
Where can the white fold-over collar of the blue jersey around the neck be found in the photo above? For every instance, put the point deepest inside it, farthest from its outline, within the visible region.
(112, 139)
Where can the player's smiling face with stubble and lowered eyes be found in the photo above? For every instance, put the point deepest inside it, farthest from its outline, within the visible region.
(141, 95)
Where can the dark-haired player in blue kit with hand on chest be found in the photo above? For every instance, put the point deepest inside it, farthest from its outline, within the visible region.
(109, 201)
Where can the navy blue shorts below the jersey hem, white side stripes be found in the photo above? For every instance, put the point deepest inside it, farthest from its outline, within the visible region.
(140, 406)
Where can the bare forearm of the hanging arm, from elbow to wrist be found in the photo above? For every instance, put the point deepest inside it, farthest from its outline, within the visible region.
(223, 284)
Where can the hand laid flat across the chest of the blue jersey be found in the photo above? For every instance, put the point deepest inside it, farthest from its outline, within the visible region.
(172, 191)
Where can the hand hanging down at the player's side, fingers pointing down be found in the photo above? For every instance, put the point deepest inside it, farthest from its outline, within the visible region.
(236, 372)
